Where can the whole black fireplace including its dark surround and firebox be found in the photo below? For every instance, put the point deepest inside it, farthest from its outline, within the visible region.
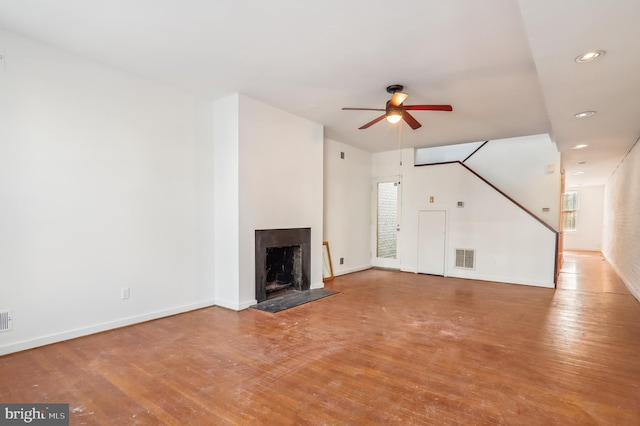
(283, 261)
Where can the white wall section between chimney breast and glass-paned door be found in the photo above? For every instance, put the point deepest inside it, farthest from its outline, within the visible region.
(347, 202)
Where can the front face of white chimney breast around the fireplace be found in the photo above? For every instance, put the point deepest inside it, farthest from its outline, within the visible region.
(280, 186)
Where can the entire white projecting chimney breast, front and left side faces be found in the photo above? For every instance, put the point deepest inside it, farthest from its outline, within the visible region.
(268, 176)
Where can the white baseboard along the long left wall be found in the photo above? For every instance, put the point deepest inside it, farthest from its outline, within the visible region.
(98, 328)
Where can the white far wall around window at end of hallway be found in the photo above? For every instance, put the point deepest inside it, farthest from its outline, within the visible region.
(588, 233)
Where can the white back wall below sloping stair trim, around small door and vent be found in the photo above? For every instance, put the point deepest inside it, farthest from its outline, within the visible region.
(510, 245)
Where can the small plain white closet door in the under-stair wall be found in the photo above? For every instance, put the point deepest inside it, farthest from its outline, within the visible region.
(431, 241)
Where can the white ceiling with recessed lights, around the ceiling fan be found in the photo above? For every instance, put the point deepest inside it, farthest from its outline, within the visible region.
(506, 66)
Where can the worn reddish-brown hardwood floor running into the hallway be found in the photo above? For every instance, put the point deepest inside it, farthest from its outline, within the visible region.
(392, 348)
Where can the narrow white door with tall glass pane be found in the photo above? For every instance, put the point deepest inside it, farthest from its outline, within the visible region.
(386, 222)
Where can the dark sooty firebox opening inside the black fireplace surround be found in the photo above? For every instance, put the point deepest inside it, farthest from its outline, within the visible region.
(284, 271)
